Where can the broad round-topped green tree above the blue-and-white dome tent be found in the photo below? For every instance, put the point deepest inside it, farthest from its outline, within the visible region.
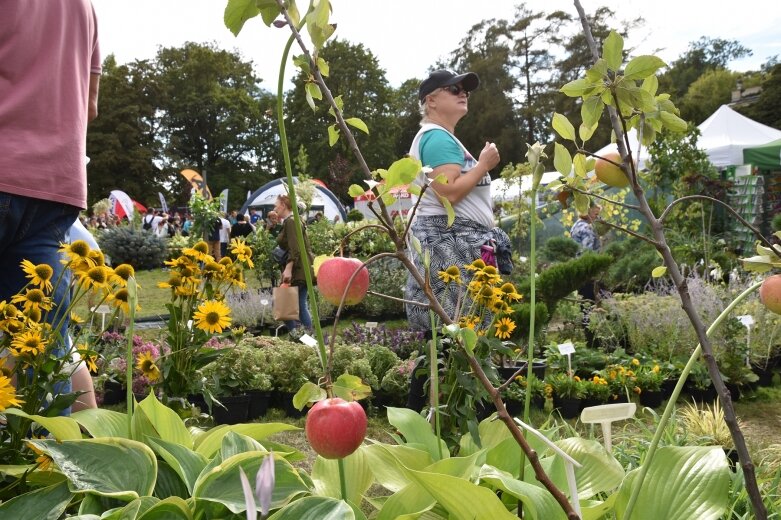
(212, 119)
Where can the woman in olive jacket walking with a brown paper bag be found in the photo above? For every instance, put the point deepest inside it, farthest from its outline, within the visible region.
(293, 272)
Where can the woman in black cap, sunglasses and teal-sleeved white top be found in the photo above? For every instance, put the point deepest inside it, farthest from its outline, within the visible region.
(443, 100)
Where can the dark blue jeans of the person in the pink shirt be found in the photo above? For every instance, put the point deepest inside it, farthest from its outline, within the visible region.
(32, 229)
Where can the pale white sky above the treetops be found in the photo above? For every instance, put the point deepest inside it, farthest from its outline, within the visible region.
(408, 36)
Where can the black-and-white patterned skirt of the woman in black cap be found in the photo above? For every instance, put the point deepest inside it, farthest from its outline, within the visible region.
(456, 245)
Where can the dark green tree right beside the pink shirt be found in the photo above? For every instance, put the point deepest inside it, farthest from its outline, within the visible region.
(123, 142)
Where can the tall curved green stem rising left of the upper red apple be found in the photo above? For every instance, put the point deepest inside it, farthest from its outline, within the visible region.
(293, 201)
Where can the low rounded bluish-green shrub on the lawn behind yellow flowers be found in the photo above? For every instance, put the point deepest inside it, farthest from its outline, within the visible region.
(141, 249)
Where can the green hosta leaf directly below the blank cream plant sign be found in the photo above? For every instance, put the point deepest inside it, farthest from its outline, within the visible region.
(600, 472)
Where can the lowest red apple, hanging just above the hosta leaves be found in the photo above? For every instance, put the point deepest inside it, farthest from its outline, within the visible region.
(335, 428)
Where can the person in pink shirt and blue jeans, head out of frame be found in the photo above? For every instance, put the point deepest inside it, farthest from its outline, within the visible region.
(50, 69)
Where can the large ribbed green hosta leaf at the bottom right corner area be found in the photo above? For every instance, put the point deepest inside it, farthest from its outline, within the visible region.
(682, 483)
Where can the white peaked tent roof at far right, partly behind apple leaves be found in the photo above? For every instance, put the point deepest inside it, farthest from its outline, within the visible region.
(724, 136)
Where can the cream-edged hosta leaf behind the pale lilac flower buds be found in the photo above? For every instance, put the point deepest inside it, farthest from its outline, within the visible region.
(222, 483)
